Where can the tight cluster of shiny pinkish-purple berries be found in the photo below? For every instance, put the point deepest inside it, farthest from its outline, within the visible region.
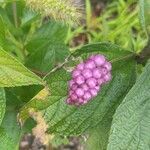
(87, 79)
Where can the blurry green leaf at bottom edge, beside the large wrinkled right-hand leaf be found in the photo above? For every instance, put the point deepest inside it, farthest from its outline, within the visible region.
(98, 136)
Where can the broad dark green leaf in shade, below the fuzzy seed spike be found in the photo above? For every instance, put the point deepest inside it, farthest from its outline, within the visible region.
(47, 47)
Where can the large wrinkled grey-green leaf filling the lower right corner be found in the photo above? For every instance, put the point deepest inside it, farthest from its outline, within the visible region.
(131, 124)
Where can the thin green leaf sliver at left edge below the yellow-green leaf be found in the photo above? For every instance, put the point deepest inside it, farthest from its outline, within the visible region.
(2, 104)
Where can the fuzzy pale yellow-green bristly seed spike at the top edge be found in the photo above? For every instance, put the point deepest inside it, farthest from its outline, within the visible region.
(63, 10)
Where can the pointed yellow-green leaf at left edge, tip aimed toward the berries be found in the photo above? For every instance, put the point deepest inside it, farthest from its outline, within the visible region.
(13, 73)
